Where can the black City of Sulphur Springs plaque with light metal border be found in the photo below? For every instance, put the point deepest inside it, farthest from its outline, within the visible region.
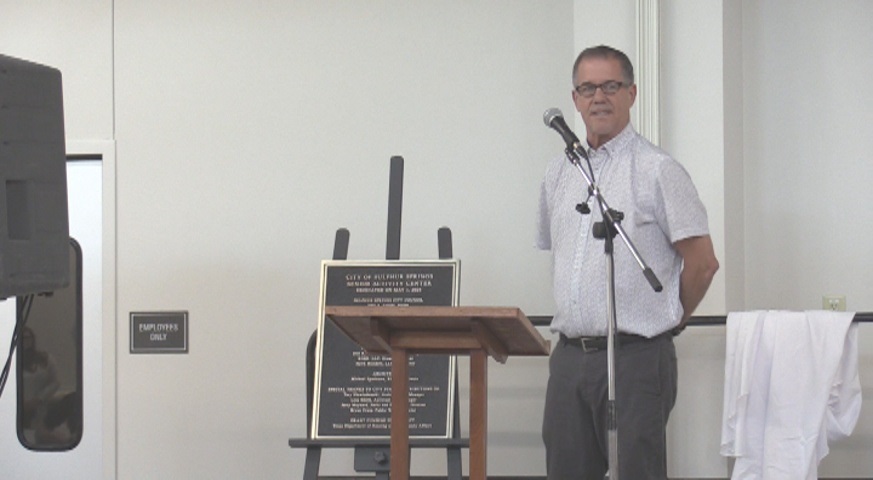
(353, 388)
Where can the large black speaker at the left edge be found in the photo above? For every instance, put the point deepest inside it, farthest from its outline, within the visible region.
(34, 223)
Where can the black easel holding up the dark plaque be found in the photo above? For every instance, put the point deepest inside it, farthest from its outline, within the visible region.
(373, 455)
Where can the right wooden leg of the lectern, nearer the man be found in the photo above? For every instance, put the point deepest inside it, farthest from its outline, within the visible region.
(478, 413)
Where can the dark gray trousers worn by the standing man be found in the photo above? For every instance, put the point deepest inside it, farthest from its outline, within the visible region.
(575, 417)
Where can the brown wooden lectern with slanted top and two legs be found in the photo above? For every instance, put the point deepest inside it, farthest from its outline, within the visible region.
(476, 331)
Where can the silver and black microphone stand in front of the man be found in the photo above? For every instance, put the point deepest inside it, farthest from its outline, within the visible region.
(607, 230)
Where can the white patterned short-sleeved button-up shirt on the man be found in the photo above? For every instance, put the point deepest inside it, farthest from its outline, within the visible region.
(660, 206)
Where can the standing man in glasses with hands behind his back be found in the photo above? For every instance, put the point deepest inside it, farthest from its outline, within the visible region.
(666, 220)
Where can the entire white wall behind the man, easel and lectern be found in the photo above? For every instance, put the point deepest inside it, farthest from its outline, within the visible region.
(247, 134)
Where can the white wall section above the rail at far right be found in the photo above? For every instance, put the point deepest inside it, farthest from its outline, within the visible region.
(807, 147)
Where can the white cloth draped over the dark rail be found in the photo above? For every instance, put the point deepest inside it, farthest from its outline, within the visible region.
(791, 385)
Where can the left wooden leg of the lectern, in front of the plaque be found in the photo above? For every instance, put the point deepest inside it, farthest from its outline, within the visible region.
(399, 414)
